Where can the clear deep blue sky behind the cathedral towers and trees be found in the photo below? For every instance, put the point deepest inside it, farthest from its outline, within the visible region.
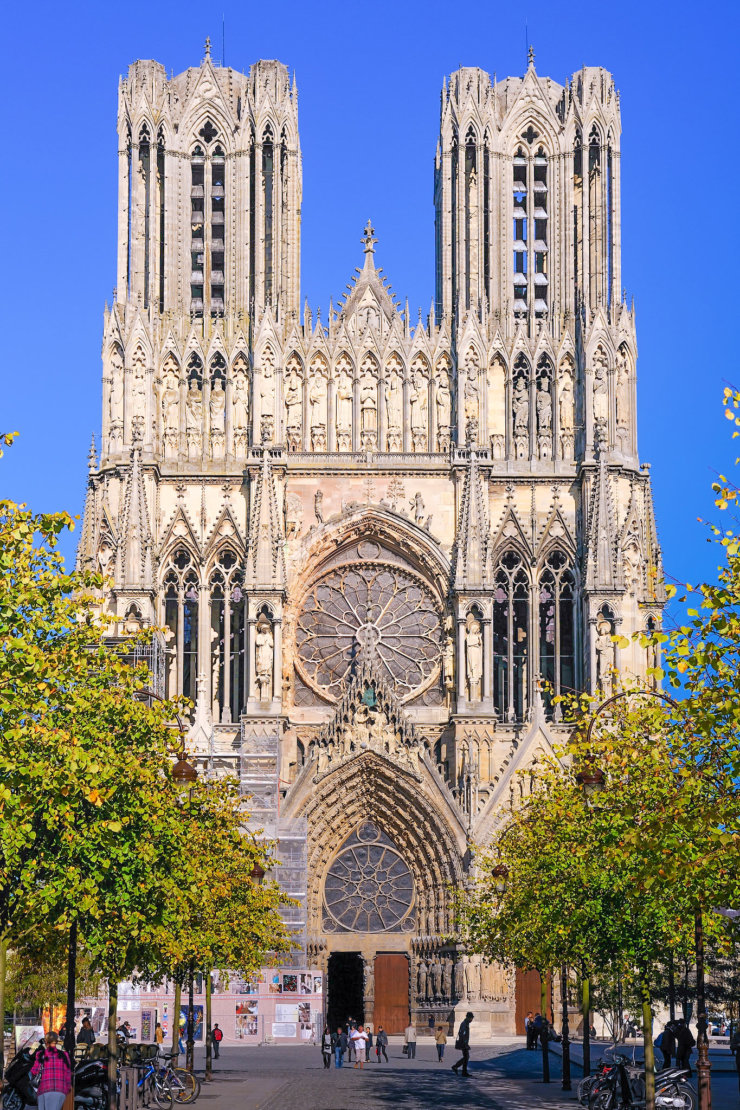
(370, 78)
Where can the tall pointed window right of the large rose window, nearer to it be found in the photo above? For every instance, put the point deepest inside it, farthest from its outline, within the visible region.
(511, 637)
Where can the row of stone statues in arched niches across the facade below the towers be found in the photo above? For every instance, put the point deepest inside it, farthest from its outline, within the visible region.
(397, 415)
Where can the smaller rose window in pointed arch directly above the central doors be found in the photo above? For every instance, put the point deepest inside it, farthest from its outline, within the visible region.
(369, 887)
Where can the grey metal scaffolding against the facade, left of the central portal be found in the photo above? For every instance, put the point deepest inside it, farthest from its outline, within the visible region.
(260, 786)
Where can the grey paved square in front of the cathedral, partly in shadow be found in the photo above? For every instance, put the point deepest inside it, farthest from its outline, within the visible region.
(503, 1078)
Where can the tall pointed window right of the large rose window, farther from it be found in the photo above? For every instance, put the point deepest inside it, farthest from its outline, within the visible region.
(557, 653)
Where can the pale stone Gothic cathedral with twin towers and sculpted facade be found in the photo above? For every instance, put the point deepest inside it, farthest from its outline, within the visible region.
(374, 548)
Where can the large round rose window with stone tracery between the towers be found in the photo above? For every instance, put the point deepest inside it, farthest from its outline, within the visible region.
(363, 611)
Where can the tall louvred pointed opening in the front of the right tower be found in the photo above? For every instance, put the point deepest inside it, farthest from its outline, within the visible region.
(531, 230)
